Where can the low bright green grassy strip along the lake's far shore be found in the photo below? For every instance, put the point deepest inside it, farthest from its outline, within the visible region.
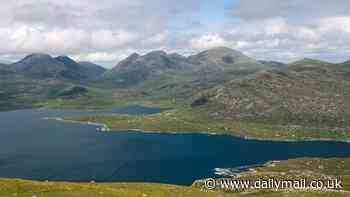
(198, 120)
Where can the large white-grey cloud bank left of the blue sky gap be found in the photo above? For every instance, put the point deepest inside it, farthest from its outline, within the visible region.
(87, 28)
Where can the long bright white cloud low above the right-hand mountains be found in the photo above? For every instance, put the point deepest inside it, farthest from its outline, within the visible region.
(280, 39)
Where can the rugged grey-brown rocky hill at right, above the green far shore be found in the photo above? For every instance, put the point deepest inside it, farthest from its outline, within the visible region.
(300, 95)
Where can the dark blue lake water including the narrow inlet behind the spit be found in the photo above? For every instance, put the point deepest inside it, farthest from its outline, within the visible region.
(33, 148)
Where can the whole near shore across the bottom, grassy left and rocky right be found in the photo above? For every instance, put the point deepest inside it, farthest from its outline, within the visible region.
(305, 169)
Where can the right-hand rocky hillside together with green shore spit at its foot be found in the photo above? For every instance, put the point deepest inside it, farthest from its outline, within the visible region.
(308, 100)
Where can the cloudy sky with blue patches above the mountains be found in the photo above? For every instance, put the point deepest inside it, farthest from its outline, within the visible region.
(106, 31)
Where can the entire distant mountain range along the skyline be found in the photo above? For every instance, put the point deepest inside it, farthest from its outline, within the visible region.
(219, 63)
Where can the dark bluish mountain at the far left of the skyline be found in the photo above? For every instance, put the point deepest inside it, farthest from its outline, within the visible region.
(43, 66)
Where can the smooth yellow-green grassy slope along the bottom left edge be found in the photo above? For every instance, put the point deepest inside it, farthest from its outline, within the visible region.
(11, 187)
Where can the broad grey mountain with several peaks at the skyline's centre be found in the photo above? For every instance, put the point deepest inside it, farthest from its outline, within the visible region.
(163, 76)
